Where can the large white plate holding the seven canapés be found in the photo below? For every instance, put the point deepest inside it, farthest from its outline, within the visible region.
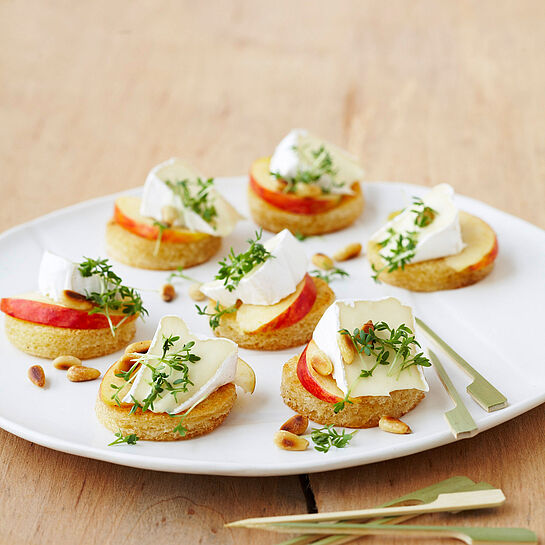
(495, 324)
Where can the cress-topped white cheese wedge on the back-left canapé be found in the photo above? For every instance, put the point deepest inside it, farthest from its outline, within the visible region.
(157, 195)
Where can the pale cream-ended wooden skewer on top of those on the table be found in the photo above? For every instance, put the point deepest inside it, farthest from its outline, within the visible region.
(457, 501)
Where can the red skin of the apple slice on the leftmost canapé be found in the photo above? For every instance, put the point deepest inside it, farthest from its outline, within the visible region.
(55, 315)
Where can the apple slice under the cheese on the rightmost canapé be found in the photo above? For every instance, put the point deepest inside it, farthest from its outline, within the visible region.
(481, 245)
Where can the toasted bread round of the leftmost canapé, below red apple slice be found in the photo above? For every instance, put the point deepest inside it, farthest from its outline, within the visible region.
(50, 342)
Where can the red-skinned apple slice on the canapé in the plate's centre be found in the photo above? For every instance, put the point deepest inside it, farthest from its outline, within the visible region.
(291, 309)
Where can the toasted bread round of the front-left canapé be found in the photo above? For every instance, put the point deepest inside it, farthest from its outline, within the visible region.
(150, 426)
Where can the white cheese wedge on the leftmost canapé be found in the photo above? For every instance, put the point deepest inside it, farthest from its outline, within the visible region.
(58, 274)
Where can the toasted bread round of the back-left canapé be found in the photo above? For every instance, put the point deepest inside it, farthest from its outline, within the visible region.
(140, 252)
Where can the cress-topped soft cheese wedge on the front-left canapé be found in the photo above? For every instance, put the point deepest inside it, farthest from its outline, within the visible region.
(217, 366)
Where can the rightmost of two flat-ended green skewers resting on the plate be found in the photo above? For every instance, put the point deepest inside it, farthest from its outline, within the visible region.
(488, 397)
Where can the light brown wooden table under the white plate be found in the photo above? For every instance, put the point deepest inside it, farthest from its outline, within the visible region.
(95, 93)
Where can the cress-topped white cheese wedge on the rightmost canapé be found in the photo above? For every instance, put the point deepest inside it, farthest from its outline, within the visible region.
(440, 238)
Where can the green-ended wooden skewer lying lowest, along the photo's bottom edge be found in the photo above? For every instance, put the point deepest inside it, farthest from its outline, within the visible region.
(467, 534)
